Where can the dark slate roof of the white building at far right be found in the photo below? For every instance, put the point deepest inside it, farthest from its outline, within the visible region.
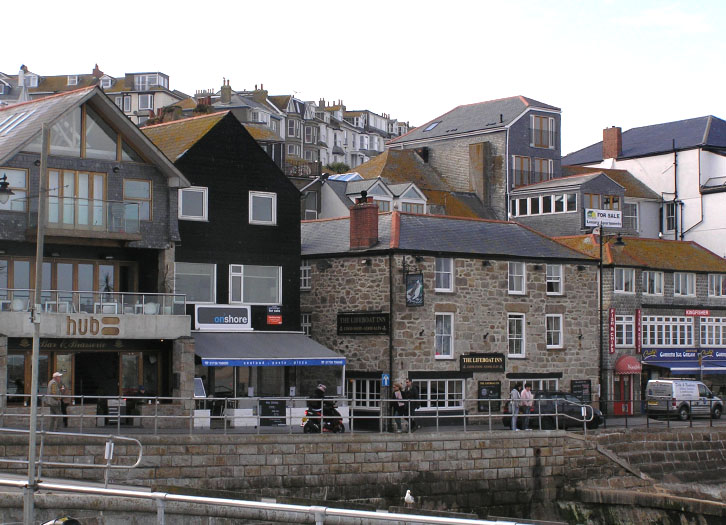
(656, 139)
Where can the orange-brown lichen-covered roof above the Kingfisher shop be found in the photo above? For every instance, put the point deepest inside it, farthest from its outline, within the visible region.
(658, 254)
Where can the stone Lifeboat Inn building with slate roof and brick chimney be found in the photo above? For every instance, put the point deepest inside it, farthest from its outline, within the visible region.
(455, 304)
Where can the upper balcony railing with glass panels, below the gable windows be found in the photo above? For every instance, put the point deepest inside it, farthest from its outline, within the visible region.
(93, 215)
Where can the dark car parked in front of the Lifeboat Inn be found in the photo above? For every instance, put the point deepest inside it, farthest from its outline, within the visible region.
(555, 409)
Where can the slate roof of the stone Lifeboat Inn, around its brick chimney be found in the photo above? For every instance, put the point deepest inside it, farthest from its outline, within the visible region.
(438, 234)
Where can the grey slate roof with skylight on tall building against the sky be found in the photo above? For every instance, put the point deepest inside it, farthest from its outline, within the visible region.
(474, 117)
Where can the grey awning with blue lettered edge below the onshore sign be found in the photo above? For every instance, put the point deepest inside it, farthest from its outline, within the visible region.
(262, 349)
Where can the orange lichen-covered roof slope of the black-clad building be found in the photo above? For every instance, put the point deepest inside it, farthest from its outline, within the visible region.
(175, 138)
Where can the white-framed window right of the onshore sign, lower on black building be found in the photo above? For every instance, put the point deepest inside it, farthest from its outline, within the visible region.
(255, 284)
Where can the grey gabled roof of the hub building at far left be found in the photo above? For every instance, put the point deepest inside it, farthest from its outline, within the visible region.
(30, 116)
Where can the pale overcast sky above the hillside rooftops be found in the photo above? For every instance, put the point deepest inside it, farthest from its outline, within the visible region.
(608, 63)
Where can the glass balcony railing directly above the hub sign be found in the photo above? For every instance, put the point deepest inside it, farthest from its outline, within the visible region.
(92, 302)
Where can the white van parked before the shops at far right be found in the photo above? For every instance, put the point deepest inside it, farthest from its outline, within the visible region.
(682, 398)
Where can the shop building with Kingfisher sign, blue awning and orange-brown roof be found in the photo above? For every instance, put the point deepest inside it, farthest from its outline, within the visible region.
(664, 314)
